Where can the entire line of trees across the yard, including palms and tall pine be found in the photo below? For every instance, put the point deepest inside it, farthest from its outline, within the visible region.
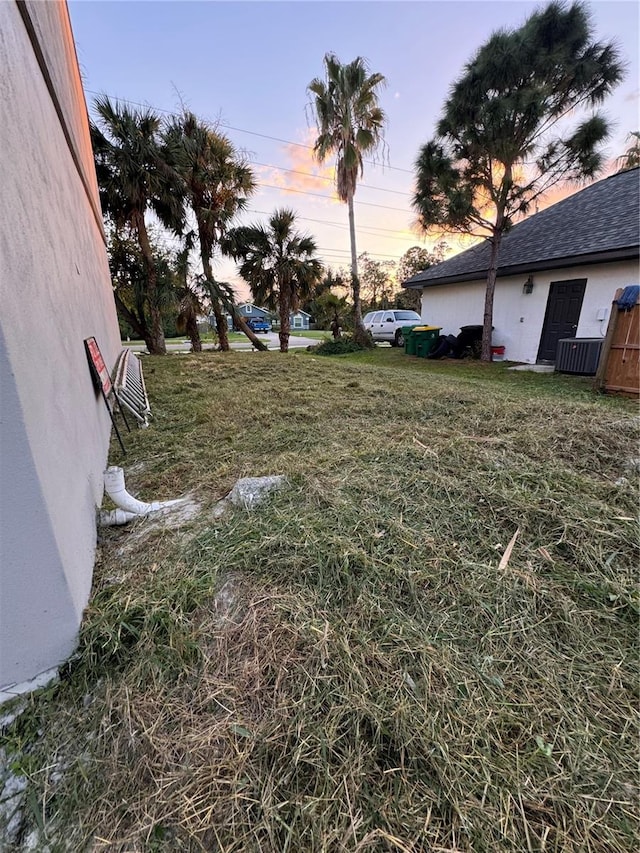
(507, 134)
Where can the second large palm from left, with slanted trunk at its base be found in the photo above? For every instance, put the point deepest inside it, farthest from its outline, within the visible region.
(217, 185)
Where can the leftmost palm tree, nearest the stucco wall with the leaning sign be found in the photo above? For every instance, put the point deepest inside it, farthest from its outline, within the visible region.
(133, 179)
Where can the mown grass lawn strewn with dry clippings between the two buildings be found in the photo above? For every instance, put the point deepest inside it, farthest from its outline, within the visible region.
(426, 642)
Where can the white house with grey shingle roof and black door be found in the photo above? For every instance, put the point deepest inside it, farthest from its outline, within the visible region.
(558, 274)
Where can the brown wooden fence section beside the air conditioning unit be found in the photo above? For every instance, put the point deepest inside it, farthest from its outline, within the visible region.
(619, 366)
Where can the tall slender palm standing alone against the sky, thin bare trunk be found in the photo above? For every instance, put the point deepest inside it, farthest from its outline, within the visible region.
(350, 124)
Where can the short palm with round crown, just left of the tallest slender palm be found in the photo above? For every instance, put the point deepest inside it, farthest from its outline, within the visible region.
(278, 263)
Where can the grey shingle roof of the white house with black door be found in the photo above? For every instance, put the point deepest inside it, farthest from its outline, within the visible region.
(596, 224)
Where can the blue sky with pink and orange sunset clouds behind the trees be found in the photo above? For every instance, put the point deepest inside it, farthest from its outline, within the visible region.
(246, 65)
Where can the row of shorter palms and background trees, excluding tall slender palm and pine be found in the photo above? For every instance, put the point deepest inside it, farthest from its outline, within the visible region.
(180, 177)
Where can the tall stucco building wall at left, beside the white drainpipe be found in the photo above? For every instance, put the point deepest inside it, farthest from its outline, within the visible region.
(55, 291)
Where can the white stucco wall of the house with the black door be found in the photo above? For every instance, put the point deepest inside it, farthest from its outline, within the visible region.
(518, 317)
